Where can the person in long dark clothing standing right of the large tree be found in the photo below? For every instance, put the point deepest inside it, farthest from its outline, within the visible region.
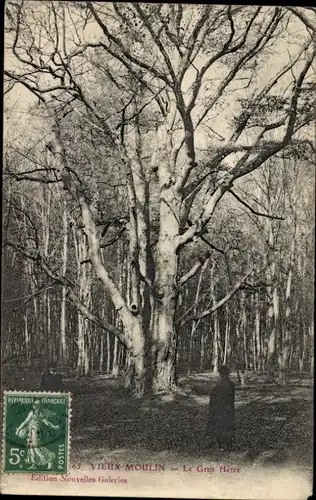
(221, 421)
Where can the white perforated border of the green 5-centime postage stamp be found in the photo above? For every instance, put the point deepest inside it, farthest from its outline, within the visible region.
(35, 394)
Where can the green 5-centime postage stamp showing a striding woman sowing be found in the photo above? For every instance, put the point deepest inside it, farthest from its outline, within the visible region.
(36, 435)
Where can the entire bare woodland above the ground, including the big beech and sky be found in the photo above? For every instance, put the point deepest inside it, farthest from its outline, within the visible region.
(158, 190)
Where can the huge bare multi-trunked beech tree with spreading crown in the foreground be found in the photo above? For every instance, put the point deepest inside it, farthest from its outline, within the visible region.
(188, 100)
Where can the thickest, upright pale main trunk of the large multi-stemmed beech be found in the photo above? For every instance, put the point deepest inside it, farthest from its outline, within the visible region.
(161, 374)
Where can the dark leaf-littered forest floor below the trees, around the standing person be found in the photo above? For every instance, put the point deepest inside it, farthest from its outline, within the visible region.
(274, 424)
